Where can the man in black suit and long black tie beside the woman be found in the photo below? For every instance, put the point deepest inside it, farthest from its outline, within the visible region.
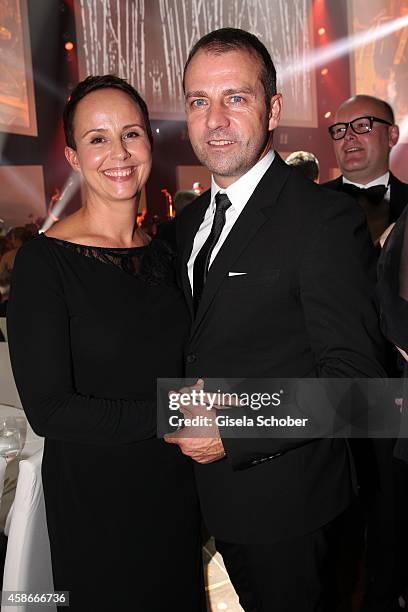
(276, 274)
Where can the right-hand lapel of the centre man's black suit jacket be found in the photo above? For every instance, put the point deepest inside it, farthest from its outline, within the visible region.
(251, 219)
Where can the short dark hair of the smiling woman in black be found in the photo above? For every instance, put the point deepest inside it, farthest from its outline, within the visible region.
(93, 83)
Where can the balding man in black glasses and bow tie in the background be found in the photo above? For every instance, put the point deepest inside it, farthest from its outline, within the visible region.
(363, 136)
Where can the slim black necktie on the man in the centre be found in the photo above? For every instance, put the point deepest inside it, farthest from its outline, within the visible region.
(202, 260)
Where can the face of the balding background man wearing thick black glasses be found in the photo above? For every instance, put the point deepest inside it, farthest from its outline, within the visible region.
(364, 157)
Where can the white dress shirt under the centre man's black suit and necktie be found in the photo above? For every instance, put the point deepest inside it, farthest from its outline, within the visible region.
(238, 194)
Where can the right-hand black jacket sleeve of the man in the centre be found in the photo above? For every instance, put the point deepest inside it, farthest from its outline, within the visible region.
(336, 284)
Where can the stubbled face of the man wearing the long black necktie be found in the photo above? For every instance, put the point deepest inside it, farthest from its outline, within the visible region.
(228, 121)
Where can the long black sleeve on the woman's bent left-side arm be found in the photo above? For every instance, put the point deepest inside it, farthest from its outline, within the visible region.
(39, 340)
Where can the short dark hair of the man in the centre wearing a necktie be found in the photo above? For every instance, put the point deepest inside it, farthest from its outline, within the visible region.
(234, 39)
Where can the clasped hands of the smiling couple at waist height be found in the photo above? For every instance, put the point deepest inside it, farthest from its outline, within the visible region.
(202, 443)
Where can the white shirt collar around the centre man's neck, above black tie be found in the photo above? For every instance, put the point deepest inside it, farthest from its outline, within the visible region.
(241, 190)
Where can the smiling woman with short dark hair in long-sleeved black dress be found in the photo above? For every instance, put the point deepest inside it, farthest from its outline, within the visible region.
(94, 318)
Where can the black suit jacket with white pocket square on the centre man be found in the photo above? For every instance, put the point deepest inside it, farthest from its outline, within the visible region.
(304, 308)
